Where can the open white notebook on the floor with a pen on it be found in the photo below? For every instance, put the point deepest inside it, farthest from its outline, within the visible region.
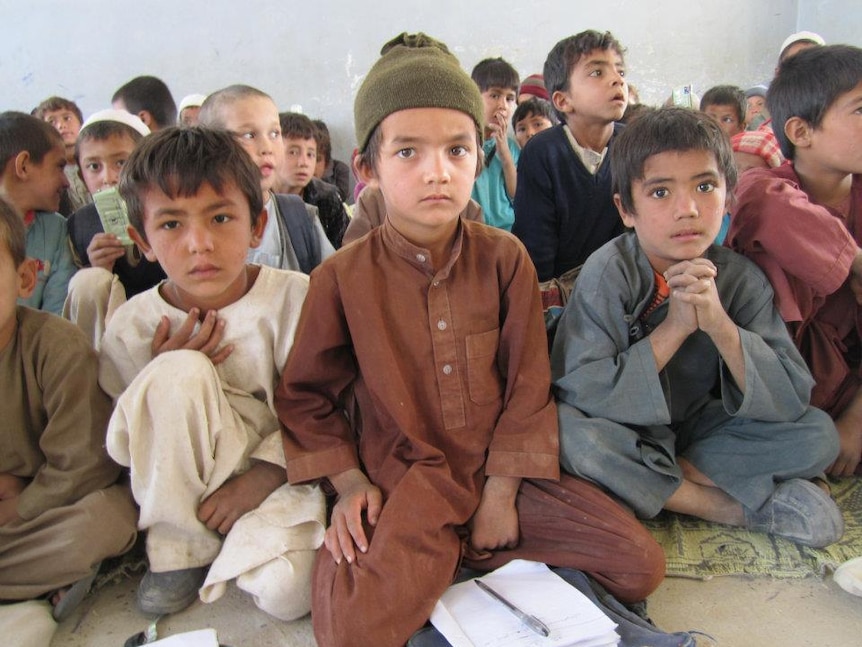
(468, 617)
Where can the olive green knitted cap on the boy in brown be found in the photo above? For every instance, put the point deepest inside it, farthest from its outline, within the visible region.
(414, 71)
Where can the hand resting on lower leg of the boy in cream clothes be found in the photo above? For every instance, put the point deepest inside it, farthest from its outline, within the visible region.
(221, 510)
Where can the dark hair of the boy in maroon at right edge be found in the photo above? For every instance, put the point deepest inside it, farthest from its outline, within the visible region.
(808, 83)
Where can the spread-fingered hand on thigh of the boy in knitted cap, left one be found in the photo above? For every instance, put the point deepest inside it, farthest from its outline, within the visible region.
(355, 495)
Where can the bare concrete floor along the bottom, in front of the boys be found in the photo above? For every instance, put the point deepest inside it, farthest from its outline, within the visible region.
(736, 611)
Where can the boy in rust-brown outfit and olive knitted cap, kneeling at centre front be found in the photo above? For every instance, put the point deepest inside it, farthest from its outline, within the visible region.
(418, 384)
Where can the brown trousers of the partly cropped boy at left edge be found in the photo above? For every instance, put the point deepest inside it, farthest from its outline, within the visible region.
(61, 545)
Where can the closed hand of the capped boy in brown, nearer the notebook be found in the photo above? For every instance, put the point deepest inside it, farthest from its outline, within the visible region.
(494, 525)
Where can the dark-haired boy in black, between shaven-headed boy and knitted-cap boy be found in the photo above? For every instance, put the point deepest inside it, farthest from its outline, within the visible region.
(296, 175)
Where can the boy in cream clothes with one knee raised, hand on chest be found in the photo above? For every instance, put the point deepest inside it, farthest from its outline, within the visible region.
(206, 466)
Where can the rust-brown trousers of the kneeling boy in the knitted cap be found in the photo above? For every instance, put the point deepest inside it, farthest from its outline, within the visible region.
(389, 592)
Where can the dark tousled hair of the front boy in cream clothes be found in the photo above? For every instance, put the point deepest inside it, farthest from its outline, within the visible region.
(178, 161)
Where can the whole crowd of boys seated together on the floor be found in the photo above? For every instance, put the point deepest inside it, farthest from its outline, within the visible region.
(336, 407)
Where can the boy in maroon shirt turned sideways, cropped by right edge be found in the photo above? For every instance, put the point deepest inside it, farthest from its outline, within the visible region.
(802, 224)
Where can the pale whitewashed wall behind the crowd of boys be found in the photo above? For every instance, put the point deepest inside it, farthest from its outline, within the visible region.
(315, 53)
